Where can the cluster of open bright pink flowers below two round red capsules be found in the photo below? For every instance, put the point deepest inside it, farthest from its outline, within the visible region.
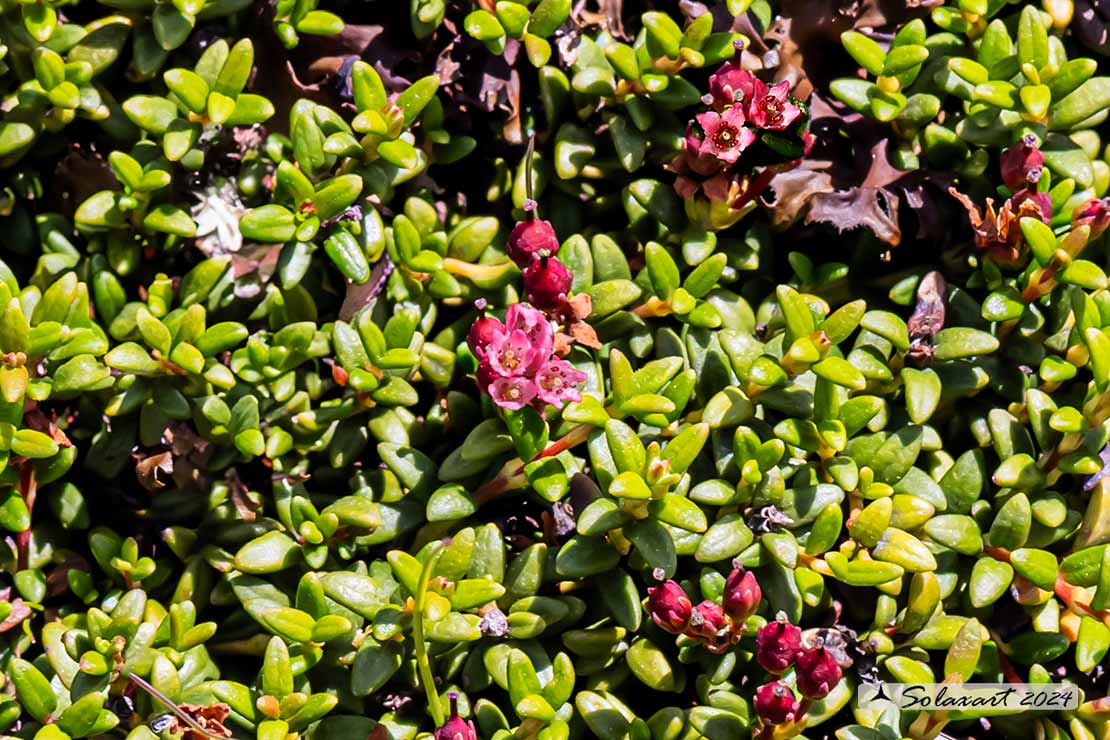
(517, 363)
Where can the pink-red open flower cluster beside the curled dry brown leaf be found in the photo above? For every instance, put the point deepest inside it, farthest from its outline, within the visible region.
(742, 109)
